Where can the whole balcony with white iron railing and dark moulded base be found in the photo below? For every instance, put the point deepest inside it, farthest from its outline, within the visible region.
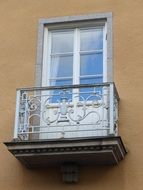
(68, 125)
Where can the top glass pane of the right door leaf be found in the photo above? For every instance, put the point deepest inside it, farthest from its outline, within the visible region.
(91, 39)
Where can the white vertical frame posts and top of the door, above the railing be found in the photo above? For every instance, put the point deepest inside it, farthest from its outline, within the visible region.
(76, 53)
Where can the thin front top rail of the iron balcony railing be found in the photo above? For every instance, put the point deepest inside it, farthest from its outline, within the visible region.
(65, 87)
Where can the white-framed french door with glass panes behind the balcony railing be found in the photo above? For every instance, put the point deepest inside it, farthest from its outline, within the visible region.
(74, 56)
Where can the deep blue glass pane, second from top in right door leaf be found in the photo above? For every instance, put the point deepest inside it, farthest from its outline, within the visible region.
(91, 64)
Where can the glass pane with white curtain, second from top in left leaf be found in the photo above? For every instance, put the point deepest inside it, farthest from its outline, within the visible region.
(61, 66)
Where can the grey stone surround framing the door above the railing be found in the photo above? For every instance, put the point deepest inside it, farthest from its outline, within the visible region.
(71, 19)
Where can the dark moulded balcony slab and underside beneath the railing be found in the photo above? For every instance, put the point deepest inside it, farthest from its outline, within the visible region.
(89, 151)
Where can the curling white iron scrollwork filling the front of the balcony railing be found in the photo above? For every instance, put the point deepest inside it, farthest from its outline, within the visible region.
(69, 107)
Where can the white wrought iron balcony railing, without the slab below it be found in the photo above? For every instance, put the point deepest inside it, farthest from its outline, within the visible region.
(74, 111)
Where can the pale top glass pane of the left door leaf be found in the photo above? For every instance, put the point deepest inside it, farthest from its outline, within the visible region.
(62, 42)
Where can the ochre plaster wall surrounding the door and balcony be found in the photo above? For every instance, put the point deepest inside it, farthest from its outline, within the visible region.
(18, 40)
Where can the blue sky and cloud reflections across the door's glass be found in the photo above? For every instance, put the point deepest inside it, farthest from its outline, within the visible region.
(91, 59)
